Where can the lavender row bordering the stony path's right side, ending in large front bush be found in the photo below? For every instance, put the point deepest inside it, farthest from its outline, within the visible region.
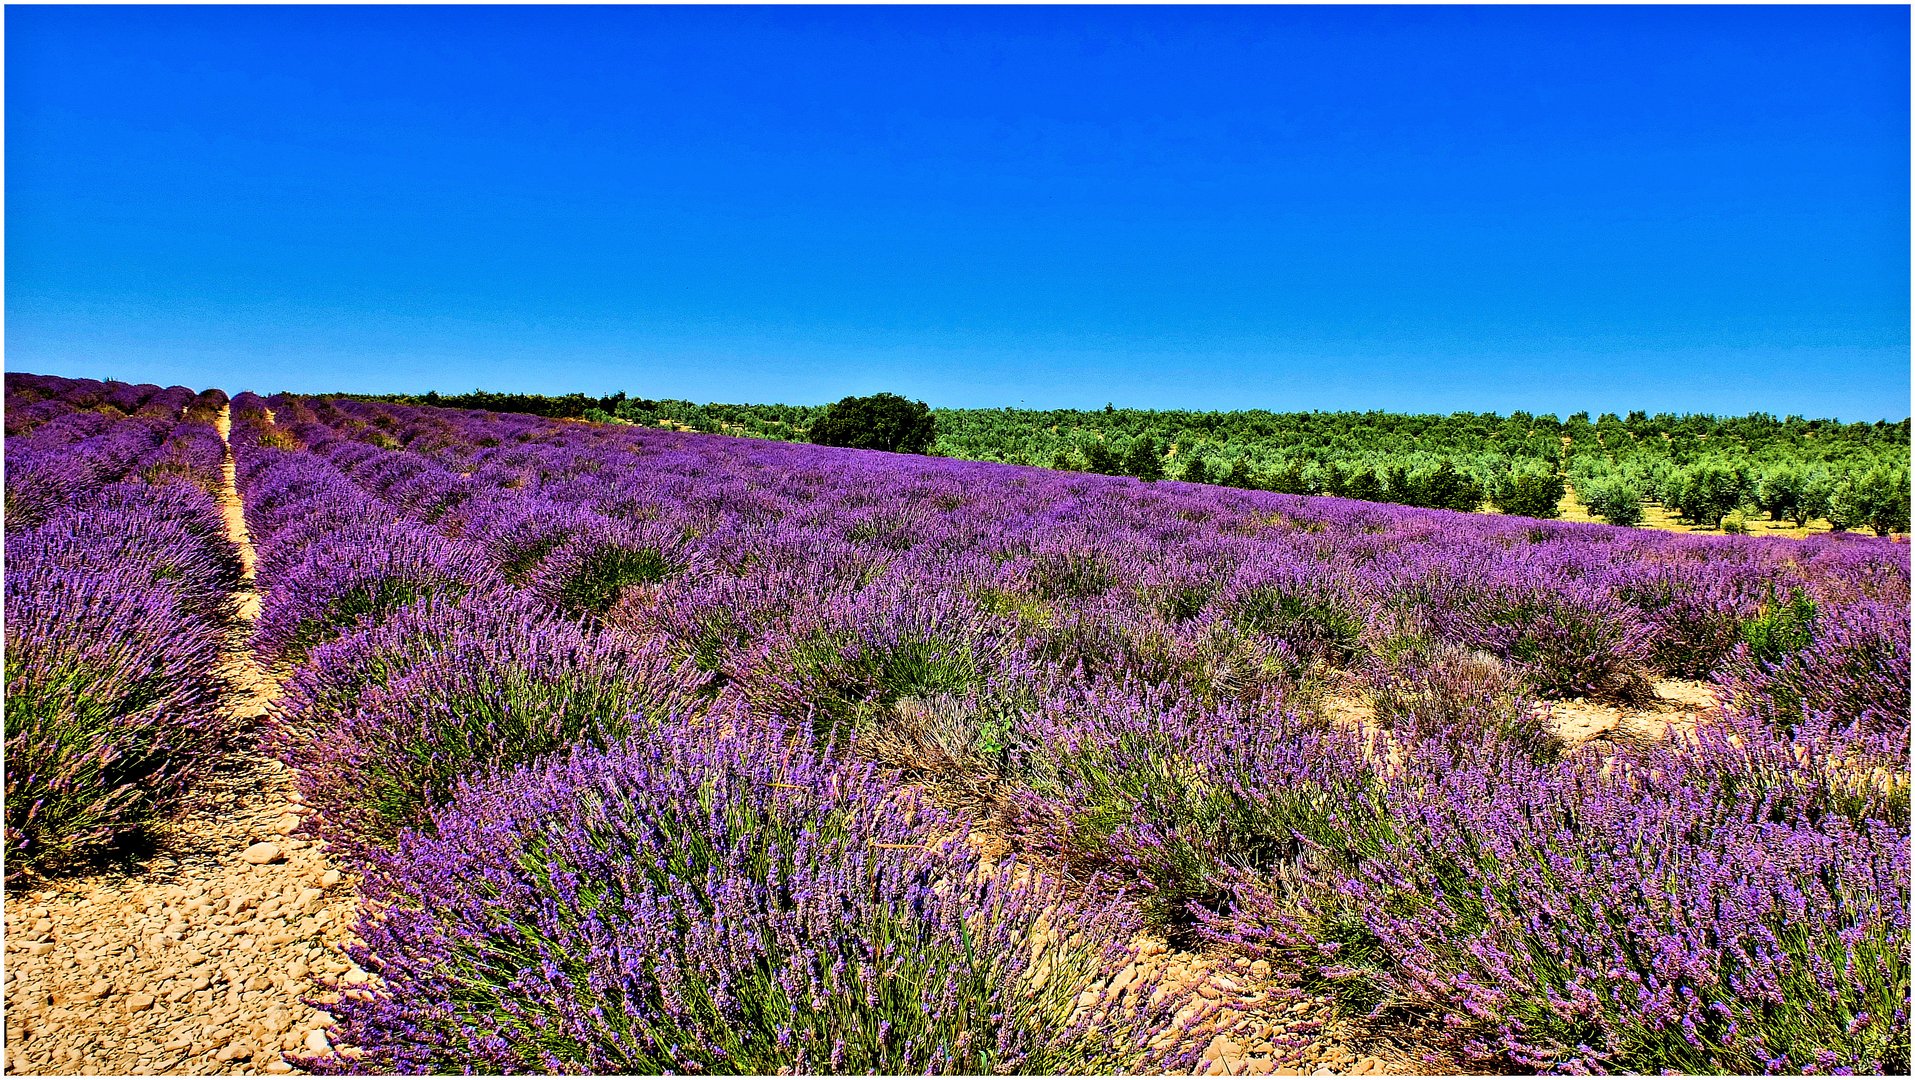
(669, 884)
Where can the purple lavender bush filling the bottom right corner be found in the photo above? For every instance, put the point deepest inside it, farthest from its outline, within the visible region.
(1627, 916)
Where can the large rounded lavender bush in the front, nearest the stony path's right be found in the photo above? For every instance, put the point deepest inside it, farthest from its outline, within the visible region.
(715, 901)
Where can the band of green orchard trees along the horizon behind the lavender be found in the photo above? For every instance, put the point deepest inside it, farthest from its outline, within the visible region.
(1711, 472)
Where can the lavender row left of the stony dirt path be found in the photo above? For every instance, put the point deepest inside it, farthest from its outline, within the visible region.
(118, 610)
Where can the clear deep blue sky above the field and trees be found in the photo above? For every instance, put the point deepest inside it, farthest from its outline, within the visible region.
(1690, 210)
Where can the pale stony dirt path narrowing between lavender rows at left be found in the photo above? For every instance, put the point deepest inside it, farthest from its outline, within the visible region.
(198, 958)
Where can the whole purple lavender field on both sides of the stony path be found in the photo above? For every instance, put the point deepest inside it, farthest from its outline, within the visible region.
(664, 752)
